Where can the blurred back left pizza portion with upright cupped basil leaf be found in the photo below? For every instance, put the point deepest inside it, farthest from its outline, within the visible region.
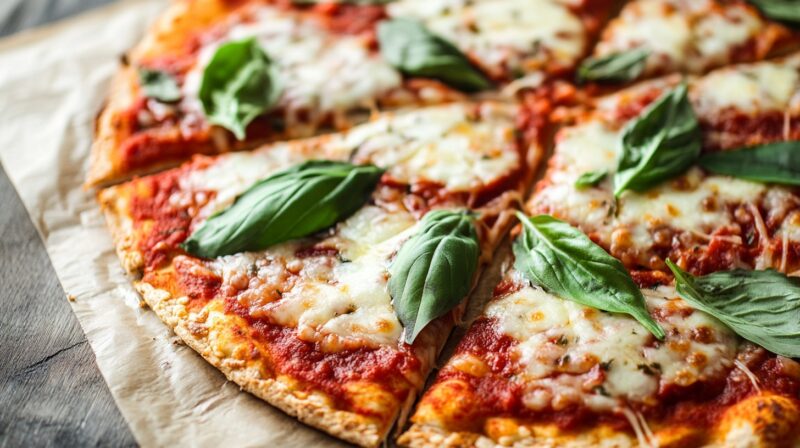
(320, 67)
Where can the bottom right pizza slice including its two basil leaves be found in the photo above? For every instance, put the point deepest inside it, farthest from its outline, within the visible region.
(549, 364)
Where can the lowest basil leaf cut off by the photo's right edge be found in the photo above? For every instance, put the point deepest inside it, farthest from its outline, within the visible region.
(760, 306)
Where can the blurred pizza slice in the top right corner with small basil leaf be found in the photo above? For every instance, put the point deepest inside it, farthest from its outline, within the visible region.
(656, 37)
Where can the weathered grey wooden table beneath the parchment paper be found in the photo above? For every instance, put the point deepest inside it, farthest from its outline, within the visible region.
(51, 393)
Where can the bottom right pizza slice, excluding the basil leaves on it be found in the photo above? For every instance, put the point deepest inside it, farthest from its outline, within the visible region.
(538, 370)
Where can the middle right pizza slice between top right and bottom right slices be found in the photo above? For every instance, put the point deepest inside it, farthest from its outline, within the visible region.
(647, 194)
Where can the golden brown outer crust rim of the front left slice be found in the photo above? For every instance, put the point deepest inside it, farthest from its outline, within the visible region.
(310, 408)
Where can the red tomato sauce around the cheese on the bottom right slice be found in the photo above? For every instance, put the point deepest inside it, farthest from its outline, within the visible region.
(499, 392)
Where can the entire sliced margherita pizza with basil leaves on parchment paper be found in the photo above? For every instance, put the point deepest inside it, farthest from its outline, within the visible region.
(308, 193)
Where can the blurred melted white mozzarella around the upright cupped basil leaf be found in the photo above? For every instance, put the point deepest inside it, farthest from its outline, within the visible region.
(319, 72)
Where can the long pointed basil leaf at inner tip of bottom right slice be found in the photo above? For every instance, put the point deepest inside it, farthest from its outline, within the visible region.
(565, 262)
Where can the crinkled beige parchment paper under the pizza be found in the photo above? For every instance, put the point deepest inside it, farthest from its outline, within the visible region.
(52, 83)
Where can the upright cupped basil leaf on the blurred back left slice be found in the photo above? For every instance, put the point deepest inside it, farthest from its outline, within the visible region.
(239, 84)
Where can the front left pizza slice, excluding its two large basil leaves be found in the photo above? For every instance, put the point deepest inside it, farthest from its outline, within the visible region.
(308, 324)
